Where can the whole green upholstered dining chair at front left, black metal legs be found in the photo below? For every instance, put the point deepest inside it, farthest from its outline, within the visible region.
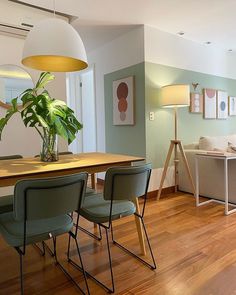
(42, 209)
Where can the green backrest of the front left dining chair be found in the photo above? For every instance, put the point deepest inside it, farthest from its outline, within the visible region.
(48, 197)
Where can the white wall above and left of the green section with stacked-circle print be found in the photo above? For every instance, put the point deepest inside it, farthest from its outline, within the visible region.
(121, 52)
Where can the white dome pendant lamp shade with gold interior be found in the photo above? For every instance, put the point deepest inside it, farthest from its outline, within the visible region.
(54, 45)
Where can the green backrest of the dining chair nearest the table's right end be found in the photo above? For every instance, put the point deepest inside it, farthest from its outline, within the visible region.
(125, 183)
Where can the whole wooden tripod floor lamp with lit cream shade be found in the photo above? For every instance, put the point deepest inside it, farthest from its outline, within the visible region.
(175, 96)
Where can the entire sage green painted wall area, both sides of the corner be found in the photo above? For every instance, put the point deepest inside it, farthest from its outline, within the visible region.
(152, 138)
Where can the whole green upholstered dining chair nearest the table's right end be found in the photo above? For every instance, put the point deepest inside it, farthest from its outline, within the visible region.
(122, 186)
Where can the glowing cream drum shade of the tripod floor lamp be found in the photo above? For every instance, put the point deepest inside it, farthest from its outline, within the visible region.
(175, 95)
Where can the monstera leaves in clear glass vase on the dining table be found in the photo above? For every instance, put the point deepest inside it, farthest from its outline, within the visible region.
(49, 116)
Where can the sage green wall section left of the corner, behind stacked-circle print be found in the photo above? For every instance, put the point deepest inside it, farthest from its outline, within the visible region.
(128, 140)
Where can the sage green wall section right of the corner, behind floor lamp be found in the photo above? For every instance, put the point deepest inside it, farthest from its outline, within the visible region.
(190, 126)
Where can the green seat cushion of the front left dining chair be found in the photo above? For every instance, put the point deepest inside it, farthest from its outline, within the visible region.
(37, 231)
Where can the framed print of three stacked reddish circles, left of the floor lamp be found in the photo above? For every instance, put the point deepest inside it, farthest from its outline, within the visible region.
(123, 101)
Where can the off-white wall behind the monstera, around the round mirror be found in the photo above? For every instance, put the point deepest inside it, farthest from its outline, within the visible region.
(16, 139)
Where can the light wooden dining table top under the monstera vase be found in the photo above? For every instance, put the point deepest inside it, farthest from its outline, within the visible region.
(90, 162)
